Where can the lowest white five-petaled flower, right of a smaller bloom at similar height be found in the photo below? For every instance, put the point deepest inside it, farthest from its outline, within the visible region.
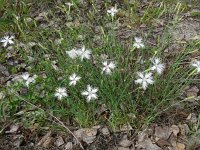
(90, 93)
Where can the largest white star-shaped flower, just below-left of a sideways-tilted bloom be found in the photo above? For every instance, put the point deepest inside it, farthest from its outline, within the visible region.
(144, 79)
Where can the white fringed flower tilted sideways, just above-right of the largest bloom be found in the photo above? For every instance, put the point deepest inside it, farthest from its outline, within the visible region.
(157, 65)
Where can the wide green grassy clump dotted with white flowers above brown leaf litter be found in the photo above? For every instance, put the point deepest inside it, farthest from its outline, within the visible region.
(88, 80)
